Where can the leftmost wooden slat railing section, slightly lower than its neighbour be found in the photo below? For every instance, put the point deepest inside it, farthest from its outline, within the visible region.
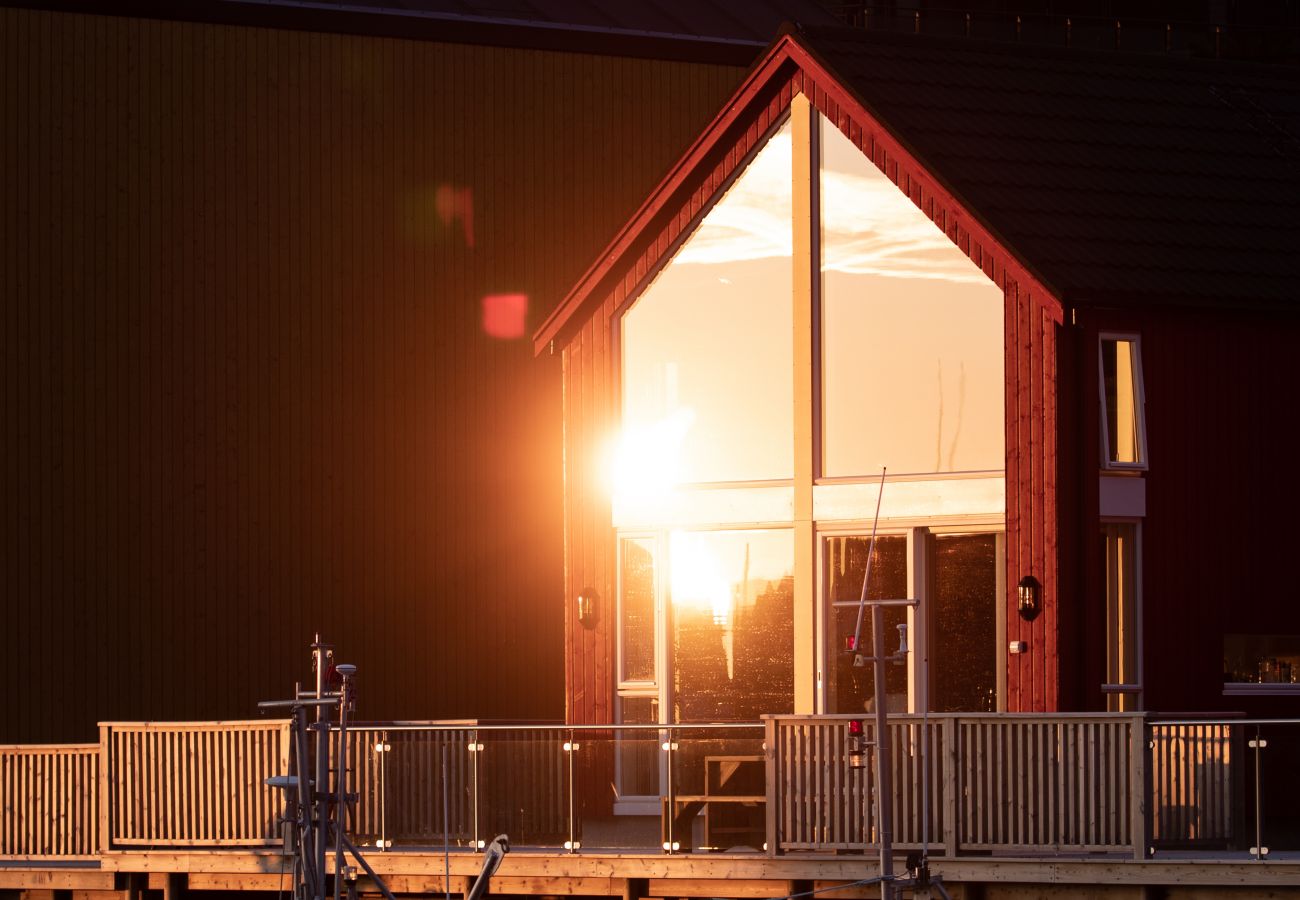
(49, 801)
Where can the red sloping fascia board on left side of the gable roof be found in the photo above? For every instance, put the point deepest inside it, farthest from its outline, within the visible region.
(664, 200)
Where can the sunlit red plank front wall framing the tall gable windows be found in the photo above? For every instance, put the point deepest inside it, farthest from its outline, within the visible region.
(591, 384)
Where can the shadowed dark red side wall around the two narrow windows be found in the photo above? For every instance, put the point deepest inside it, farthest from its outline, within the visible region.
(1219, 536)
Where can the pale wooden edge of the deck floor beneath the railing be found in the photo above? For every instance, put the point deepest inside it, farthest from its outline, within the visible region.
(643, 876)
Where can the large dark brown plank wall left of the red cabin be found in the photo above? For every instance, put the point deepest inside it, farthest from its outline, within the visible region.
(245, 384)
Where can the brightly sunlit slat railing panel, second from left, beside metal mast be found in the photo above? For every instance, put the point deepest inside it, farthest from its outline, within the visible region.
(193, 784)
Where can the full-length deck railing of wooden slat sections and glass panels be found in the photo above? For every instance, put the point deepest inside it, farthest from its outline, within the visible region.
(977, 784)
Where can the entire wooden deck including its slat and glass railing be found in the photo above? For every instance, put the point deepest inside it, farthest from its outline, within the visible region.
(1067, 799)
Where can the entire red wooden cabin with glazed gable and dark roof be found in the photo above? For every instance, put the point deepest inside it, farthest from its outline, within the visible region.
(1052, 292)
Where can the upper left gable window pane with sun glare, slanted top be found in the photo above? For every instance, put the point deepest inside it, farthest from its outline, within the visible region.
(707, 351)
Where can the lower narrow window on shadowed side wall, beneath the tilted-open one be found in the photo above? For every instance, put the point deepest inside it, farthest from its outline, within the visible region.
(1124, 676)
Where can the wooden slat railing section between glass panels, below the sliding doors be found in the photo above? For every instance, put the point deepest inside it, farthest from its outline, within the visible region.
(1072, 782)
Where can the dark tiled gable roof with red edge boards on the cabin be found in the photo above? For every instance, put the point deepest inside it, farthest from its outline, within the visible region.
(1104, 178)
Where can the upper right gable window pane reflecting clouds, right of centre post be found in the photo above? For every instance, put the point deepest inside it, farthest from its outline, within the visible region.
(912, 334)
